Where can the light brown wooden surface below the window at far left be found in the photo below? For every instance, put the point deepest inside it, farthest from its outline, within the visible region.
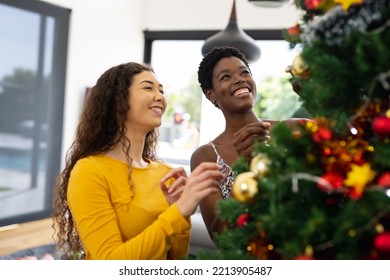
(18, 237)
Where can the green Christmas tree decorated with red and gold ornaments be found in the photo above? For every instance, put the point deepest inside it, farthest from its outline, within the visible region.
(322, 192)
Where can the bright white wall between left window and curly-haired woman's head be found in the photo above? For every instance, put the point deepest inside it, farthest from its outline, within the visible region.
(102, 33)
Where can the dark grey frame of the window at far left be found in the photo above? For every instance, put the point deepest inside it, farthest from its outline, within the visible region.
(56, 106)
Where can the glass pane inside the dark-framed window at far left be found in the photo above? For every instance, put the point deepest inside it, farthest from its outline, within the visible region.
(24, 86)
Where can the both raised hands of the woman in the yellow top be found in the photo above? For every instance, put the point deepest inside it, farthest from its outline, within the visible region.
(187, 192)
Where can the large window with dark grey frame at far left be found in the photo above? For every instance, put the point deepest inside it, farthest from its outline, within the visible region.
(33, 40)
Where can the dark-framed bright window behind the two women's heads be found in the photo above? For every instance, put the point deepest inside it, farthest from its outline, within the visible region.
(191, 119)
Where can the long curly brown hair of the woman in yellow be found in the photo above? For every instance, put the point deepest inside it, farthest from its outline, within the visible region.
(101, 128)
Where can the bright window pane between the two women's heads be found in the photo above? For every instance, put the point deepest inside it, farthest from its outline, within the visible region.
(179, 133)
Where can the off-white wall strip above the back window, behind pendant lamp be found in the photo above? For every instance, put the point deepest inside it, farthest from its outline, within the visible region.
(214, 14)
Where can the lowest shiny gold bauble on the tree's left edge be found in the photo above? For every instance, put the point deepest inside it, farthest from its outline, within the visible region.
(245, 187)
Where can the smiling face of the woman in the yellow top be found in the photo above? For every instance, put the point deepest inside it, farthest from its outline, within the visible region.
(146, 101)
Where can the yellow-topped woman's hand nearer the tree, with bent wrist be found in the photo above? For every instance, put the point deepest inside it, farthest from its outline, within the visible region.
(202, 181)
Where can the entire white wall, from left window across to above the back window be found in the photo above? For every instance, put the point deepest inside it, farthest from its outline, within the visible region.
(104, 33)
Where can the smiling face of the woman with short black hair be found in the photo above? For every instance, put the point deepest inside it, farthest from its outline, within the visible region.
(233, 86)
